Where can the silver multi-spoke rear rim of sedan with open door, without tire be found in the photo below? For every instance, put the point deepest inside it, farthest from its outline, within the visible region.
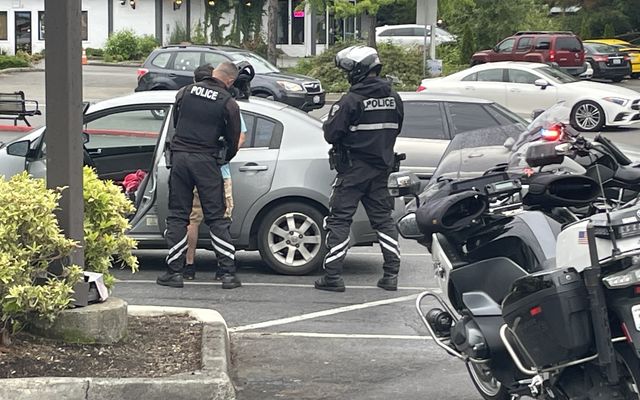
(294, 239)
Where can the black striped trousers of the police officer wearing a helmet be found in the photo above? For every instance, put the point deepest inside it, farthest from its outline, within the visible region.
(366, 184)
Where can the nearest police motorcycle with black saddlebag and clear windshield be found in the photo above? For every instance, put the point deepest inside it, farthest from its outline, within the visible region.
(533, 306)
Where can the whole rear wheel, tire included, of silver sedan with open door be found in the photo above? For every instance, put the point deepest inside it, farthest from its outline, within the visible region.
(291, 238)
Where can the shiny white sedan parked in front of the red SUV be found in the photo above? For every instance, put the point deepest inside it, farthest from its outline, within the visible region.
(525, 87)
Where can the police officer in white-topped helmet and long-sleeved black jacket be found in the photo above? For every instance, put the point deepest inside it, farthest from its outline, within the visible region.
(362, 127)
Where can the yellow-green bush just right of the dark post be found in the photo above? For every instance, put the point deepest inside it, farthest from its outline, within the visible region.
(105, 222)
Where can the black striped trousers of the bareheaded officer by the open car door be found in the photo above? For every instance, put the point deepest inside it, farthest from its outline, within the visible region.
(198, 170)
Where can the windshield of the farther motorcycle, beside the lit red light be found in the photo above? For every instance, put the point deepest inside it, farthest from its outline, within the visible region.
(546, 127)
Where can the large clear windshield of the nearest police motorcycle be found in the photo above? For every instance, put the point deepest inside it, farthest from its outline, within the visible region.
(471, 154)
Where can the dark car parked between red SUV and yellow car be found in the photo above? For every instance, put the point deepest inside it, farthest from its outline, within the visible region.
(607, 61)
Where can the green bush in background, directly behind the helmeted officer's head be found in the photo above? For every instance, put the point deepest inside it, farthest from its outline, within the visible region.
(401, 62)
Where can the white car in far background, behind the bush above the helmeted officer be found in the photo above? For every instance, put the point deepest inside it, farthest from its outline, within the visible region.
(411, 35)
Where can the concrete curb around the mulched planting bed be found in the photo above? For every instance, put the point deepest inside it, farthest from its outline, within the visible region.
(212, 382)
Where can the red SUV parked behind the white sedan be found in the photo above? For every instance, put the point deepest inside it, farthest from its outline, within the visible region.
(562, 50)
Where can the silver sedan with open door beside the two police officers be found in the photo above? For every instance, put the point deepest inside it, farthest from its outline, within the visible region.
(281, 176)
